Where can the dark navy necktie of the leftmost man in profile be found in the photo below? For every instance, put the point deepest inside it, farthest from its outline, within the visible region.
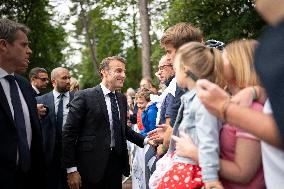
(24, 151)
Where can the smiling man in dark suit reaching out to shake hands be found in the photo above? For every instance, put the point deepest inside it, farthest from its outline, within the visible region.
(95, 133)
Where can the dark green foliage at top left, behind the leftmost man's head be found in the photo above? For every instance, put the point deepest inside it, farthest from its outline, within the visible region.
(47, 39)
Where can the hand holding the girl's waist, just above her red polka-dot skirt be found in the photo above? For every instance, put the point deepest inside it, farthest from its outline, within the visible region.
(185, 146)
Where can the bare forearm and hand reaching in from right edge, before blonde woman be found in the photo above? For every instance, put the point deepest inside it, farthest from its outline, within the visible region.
(217, 101)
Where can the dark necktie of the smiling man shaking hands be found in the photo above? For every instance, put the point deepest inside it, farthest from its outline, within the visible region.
(115, 123)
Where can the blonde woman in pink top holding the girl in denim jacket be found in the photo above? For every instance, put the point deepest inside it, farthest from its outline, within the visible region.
(240, 153)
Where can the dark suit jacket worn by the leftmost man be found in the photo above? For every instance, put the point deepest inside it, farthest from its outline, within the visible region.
(9, 140)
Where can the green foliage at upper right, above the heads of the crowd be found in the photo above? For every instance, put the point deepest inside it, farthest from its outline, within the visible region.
(219, 19)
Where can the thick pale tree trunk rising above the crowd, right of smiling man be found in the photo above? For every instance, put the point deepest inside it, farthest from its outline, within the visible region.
(145, 28)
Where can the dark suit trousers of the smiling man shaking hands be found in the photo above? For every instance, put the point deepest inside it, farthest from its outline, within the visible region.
(112, 178)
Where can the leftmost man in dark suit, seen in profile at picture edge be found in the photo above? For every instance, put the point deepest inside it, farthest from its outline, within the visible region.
(21, 154)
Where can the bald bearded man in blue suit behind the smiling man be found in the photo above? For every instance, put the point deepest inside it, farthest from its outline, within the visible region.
(57, 102)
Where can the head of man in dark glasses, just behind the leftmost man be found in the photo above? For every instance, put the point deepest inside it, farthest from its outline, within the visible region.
(39, 80)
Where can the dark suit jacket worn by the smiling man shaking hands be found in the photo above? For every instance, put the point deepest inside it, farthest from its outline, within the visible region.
(86, 135)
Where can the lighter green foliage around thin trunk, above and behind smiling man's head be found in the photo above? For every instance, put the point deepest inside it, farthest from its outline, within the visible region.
(108, 39)
